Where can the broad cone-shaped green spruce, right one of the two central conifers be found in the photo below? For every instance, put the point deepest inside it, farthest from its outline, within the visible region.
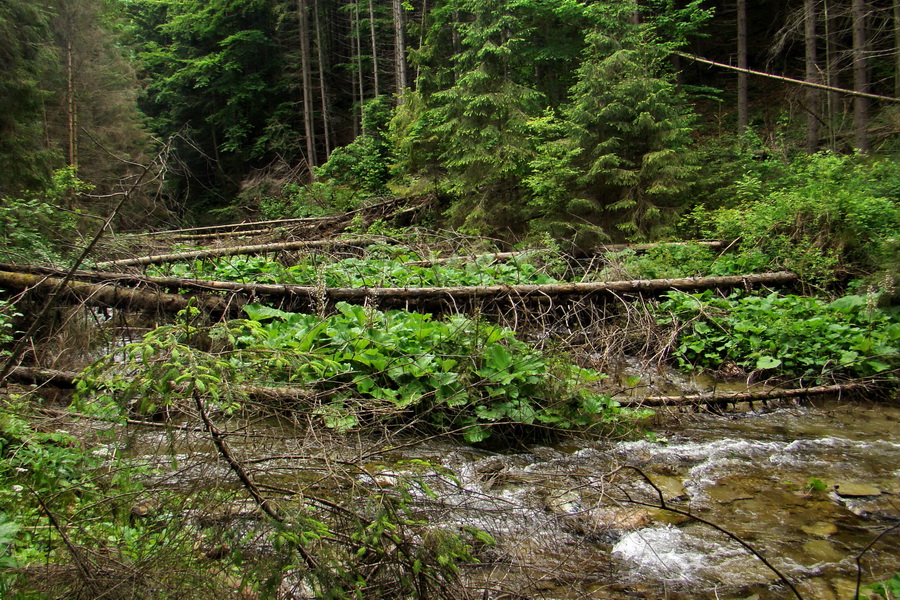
(622, 141)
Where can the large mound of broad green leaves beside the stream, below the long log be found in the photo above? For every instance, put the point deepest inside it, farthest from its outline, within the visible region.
(460, 374)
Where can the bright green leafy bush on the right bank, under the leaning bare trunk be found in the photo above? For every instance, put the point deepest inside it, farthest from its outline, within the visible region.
(823, 216)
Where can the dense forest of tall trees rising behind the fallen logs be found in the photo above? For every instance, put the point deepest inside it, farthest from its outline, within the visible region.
(571, 118)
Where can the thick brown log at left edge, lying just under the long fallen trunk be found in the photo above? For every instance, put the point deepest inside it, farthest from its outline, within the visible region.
(113, 295)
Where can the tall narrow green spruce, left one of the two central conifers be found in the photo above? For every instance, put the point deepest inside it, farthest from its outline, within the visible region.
(481, 120)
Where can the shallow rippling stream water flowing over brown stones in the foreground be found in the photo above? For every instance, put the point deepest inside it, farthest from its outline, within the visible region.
(808, 486)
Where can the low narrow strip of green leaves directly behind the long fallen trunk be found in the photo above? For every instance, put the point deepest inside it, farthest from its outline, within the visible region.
(380, 269)
